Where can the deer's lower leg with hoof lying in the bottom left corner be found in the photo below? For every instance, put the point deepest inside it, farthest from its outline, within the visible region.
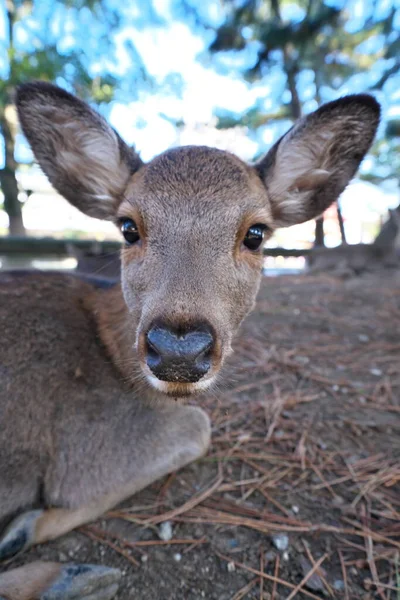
(53, 581)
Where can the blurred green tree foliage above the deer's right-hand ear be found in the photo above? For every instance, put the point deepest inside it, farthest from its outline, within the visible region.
(318, 48)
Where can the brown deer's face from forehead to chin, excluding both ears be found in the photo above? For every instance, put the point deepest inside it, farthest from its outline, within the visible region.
(195, 219)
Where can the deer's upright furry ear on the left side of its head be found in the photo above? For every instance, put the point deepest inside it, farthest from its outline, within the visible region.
(83, 157)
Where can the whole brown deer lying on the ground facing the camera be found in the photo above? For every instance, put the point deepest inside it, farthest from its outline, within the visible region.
(96, 380)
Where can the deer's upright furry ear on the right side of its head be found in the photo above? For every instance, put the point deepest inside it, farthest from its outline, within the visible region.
(310, 166)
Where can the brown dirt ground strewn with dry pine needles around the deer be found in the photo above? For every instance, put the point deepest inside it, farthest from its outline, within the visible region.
(304, 468)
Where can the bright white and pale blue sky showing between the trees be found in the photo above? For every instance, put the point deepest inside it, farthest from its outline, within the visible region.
(172, 47)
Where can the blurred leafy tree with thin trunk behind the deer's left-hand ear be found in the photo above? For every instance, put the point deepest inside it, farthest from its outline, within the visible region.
(41, 43)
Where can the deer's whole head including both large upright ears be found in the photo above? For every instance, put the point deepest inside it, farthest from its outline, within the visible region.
(194, 219)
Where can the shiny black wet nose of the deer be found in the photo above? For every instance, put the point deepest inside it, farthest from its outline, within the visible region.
(179, 356)
